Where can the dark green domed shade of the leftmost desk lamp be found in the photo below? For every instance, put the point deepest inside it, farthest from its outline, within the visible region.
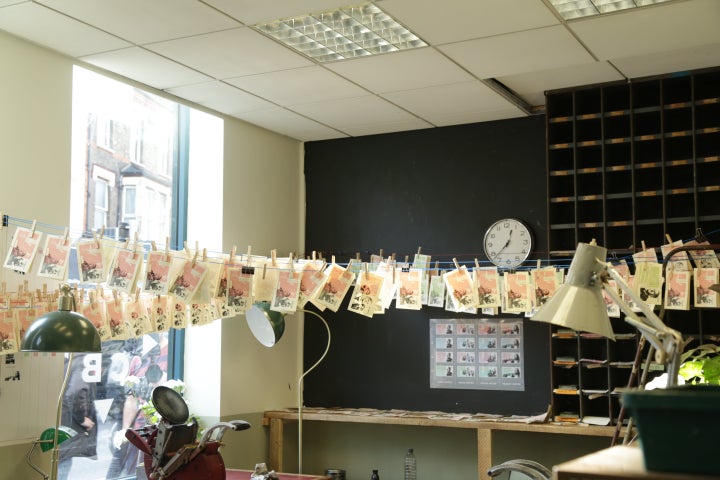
(62, 330)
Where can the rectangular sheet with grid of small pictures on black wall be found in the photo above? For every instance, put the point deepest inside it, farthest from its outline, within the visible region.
(479, 354)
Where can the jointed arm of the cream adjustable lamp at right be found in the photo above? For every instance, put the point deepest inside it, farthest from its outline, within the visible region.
(668, 342)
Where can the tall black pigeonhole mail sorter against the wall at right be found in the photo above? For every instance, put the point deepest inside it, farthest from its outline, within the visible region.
(629, 163)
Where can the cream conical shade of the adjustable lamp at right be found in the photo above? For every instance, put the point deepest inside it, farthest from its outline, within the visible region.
(579, 304)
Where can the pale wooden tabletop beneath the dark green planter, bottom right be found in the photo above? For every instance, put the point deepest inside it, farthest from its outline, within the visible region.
(614, 463)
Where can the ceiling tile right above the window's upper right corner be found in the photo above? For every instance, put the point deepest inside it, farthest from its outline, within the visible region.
(221, 97)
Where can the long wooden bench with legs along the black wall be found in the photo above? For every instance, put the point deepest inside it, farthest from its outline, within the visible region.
(276, 419)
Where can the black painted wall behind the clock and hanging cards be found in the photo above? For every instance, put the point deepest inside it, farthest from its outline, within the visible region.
(438, 189)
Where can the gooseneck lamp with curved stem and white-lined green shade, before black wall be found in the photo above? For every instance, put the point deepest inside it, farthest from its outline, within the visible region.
(265, 325)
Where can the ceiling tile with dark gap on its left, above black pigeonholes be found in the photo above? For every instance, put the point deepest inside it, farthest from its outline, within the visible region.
(531, 86)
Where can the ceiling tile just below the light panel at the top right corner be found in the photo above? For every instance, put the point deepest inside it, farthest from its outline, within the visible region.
(670, 26)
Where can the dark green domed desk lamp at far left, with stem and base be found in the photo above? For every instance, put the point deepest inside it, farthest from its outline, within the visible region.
(60, 331)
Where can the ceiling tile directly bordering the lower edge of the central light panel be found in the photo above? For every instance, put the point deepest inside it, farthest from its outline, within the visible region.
(423, 67)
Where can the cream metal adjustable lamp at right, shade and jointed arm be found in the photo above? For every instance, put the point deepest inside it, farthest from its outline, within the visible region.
(578, 304)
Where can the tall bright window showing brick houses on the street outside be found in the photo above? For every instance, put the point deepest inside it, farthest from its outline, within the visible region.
(124, 179)
